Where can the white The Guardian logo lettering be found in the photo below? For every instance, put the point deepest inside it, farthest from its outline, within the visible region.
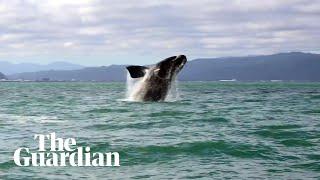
(62, 152)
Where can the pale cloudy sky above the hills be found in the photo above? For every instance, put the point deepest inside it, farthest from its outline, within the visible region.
(93, 32)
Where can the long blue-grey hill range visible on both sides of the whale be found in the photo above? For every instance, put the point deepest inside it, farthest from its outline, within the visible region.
(295, 66)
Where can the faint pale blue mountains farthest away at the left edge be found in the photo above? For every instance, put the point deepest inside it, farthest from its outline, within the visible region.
(10, 68)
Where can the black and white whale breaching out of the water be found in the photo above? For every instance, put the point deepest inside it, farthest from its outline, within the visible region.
(156, 80)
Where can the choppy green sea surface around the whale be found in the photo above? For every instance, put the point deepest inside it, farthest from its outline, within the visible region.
(213, 130)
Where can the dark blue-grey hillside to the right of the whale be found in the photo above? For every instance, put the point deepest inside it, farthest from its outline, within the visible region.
(295, 66)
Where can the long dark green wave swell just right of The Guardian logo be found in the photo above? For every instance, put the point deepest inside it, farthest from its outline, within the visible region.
(207, 149)
